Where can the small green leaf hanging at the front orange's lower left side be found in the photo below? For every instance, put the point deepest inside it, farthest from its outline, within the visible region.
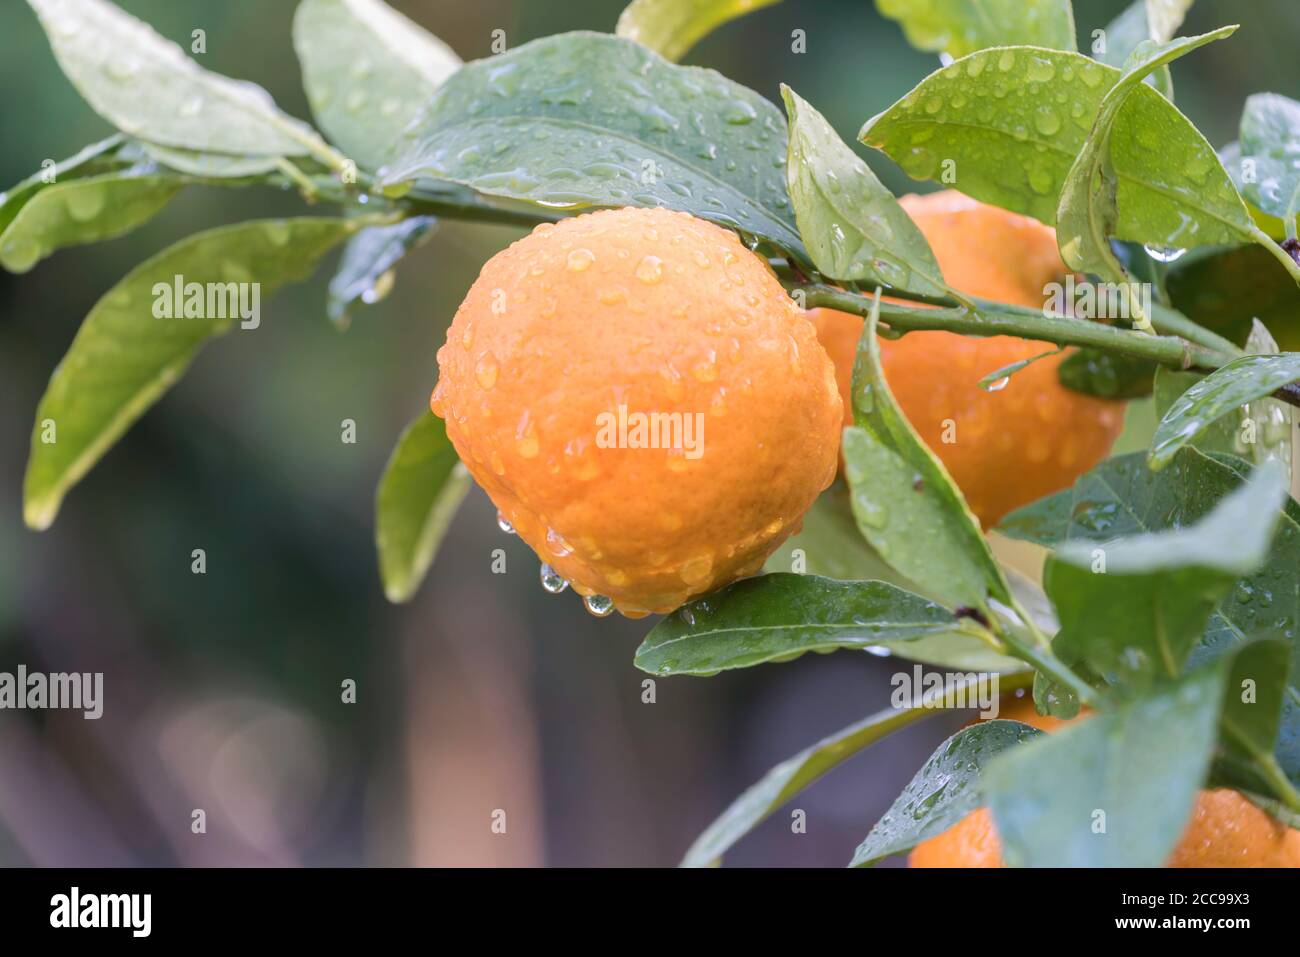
(419, 493)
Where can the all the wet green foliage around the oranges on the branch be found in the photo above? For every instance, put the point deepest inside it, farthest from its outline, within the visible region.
(1173, 579)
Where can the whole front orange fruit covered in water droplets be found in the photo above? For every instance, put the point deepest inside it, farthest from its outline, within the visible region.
(566, 348)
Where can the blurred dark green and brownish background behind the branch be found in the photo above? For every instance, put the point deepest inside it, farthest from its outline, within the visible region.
(223, 690)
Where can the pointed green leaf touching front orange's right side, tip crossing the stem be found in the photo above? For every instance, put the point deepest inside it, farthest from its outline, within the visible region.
(903, 499)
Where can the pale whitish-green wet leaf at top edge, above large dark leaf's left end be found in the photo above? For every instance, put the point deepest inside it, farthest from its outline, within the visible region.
(369, 71)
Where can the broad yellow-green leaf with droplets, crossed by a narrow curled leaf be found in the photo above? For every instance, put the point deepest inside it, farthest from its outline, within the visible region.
(1017, 155)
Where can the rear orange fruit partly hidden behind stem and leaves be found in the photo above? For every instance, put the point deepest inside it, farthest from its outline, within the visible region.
(1004, 449)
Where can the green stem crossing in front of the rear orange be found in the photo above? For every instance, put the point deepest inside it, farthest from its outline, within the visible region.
(999, 319)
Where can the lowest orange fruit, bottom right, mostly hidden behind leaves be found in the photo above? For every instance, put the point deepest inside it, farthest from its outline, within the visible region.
(1225, 830)
